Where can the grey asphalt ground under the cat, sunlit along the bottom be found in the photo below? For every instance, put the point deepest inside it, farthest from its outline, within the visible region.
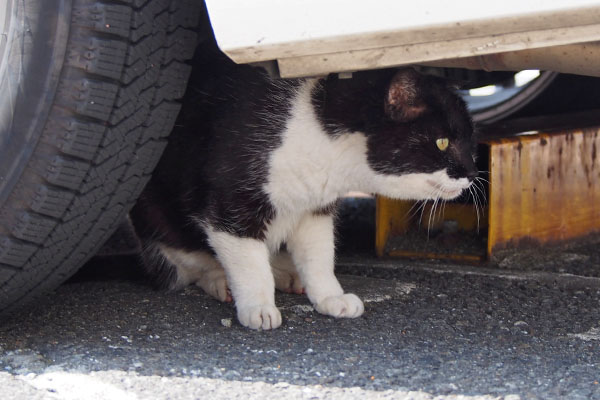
(429, 331)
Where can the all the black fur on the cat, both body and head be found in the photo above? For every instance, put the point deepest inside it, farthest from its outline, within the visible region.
(216, 163)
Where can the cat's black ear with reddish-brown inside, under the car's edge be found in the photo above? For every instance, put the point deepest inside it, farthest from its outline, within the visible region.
(402, 101)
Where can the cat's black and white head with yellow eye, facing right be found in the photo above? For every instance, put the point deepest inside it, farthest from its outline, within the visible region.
(424, 146)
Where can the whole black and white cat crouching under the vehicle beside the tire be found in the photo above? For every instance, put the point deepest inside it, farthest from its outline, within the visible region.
(257, 163)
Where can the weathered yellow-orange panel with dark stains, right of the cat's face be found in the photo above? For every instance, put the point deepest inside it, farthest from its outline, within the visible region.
(544, 188)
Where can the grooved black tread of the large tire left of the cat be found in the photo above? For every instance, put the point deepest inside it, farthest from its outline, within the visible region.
(117, 99)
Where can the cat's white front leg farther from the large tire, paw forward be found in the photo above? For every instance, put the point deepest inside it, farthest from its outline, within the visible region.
(312, 249)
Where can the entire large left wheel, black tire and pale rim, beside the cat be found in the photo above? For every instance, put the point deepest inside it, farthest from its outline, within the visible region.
(90, 90)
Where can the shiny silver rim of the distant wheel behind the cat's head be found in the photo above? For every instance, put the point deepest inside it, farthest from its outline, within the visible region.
(504, 100)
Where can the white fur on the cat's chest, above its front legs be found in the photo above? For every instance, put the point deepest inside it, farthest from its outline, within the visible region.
(311, 169)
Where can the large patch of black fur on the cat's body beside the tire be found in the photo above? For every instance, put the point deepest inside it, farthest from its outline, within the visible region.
(216, 160)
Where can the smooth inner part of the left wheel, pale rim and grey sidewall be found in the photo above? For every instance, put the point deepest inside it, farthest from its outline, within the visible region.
(30, 65)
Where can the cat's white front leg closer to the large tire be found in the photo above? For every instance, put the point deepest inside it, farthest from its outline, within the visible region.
(246, 264)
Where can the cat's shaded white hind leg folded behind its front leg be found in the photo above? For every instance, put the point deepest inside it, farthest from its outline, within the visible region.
(197, 267)
